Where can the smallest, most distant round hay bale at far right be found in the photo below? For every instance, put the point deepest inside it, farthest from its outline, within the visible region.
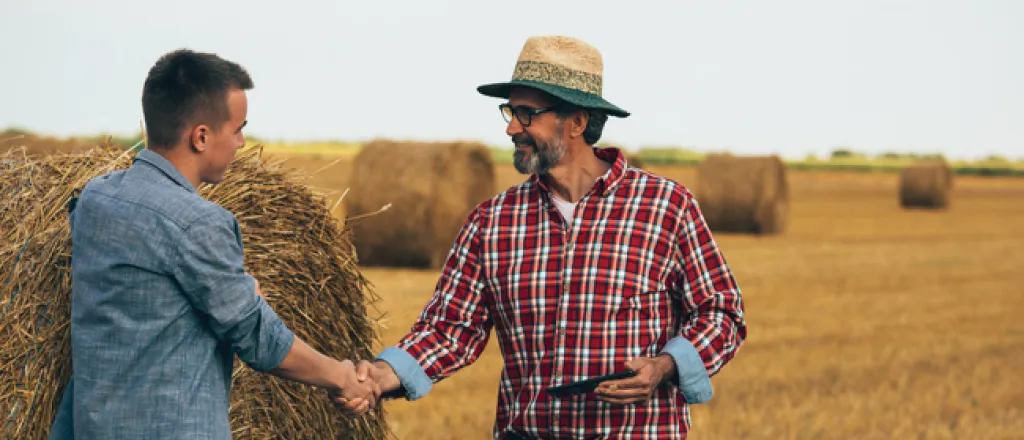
(926, 185)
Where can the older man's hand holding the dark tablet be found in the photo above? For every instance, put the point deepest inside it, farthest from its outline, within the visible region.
(652, 372)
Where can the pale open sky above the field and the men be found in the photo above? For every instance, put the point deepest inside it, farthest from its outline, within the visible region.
(753, 77)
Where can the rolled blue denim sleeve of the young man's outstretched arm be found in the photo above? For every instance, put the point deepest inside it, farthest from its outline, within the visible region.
(211, 274)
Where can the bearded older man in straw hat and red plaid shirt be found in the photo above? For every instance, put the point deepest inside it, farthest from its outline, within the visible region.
(589, 268)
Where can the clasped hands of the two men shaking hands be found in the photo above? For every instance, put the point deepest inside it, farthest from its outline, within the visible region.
(358, 389)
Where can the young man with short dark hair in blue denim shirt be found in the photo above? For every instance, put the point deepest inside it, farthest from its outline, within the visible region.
(161, 302)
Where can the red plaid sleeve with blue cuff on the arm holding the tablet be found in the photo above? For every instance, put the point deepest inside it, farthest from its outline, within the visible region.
(715, 328)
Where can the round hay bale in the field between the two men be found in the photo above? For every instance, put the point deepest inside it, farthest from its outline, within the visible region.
(432, 188)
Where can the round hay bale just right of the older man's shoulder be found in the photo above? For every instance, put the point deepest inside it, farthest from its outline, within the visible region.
(744, 194)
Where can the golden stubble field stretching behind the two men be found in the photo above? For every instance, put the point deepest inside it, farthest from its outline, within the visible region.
(867, 321)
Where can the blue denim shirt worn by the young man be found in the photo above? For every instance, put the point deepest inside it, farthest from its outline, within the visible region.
(161, 304)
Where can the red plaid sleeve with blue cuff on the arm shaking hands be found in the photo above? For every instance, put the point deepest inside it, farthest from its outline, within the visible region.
(455, 326)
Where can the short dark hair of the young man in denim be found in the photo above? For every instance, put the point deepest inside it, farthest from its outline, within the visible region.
(186, 87)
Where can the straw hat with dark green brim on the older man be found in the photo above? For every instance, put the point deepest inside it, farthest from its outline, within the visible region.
(565, 67)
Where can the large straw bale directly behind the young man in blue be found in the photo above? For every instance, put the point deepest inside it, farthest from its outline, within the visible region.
(304, 259)
